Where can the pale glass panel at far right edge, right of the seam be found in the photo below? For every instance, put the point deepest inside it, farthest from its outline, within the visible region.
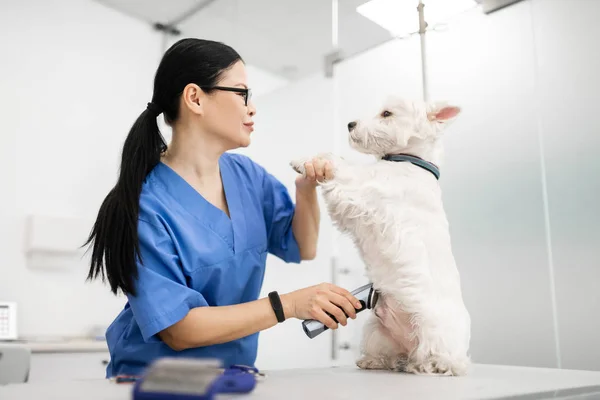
(568, 99)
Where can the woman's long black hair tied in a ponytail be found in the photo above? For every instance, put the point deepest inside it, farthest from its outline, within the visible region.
(114, 234)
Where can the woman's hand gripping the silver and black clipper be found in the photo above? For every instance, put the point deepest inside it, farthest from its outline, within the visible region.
(315, 301)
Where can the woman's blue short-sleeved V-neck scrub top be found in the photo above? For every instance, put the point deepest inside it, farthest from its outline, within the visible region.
(194, 255)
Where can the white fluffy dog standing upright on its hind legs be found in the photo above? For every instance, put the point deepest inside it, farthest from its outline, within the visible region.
(393, 211)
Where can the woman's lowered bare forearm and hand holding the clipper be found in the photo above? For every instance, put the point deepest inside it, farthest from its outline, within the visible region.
(205, 326)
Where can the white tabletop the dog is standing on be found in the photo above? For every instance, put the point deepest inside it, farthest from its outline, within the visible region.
(483, 382)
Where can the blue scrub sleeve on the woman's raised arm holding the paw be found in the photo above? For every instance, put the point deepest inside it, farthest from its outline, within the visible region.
(279, 213)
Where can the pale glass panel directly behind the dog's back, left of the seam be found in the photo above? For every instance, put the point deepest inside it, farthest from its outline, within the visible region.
(492, 183)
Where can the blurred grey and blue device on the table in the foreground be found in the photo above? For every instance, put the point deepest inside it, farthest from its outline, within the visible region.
(192, 379)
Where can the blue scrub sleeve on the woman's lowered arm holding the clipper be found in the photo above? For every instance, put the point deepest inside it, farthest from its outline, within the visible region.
(162, 296)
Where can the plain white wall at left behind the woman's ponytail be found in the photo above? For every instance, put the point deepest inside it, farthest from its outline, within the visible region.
(75, 75)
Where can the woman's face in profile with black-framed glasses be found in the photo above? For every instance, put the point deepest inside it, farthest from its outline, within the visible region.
(225, 113)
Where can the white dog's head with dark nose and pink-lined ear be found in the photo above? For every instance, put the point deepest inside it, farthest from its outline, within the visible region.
(401, 125)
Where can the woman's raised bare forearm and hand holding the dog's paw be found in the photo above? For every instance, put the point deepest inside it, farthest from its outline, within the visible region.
(305, 223)
